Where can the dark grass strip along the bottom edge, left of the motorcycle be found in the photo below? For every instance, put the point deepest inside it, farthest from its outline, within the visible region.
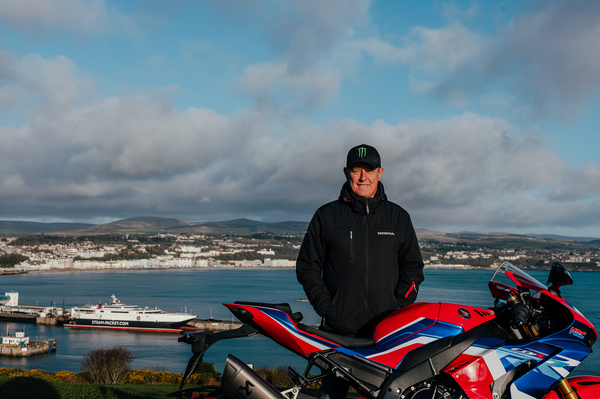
(29, 387)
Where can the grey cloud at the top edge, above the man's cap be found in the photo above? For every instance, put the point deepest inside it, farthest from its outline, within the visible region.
(305, 71)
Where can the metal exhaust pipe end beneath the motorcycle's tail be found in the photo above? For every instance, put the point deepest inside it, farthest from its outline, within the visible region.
(241, 382)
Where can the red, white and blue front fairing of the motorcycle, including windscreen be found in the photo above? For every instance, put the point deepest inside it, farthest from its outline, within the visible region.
(535, 365)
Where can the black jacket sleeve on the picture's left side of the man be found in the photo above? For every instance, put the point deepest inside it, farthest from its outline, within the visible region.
(309, 267)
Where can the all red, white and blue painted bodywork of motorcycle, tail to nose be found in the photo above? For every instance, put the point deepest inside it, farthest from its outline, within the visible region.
(531, 368)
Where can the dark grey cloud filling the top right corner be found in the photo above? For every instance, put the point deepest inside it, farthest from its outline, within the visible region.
(554, 53)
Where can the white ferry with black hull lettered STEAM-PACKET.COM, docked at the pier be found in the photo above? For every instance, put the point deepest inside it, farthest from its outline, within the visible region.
(119, 316)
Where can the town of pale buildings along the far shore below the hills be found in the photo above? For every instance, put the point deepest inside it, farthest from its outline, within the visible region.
(165, 250)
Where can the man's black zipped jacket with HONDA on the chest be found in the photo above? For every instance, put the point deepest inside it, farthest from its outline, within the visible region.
(359, 261)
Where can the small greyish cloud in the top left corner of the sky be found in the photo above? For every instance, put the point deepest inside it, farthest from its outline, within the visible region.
(80, 16)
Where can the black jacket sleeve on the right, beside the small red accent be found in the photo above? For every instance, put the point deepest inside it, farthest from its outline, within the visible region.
(410, 266)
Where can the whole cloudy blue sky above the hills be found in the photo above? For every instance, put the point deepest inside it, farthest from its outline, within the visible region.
(485, 113)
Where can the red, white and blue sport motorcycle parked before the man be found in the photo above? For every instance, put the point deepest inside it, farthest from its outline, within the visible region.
(523, 347)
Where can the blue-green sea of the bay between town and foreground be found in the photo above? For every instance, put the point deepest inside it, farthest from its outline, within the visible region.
(202, 293)
